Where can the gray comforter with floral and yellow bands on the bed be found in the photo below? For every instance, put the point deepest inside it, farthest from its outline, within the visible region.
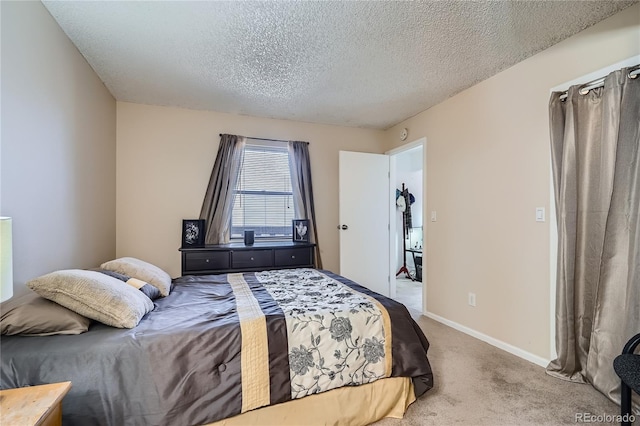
(183, 365)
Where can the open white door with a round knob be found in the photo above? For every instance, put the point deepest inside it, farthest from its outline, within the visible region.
(364, 219)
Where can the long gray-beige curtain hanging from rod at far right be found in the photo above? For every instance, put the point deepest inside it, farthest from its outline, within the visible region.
(596, 172)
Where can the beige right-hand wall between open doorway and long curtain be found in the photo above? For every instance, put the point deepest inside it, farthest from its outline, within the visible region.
(487, 170)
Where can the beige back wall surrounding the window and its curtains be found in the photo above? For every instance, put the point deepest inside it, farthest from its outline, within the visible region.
(164, 160)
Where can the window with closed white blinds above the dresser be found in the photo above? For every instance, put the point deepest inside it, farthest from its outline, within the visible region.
(263, 197)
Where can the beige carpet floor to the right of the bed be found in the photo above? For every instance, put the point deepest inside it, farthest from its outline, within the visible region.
(478, 384)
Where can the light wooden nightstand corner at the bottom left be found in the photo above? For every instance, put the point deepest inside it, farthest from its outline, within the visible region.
(33, 405)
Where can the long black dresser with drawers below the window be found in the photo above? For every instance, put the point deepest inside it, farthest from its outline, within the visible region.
(236, 257)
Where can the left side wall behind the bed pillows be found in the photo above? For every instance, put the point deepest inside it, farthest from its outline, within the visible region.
(58, 148)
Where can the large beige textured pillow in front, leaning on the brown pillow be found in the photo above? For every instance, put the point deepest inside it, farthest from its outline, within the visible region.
(94, 295)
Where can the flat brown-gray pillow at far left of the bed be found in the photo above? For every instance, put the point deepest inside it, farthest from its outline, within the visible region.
(32, 315)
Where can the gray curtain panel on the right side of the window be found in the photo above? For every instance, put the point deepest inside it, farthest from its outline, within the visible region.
(300, 167)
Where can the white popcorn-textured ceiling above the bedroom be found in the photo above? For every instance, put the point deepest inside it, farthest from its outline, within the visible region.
(361, 64)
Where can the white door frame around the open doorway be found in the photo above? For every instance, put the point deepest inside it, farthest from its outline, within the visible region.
(393, 235)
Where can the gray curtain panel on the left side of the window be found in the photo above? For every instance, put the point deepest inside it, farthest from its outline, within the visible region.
(218, 200)
